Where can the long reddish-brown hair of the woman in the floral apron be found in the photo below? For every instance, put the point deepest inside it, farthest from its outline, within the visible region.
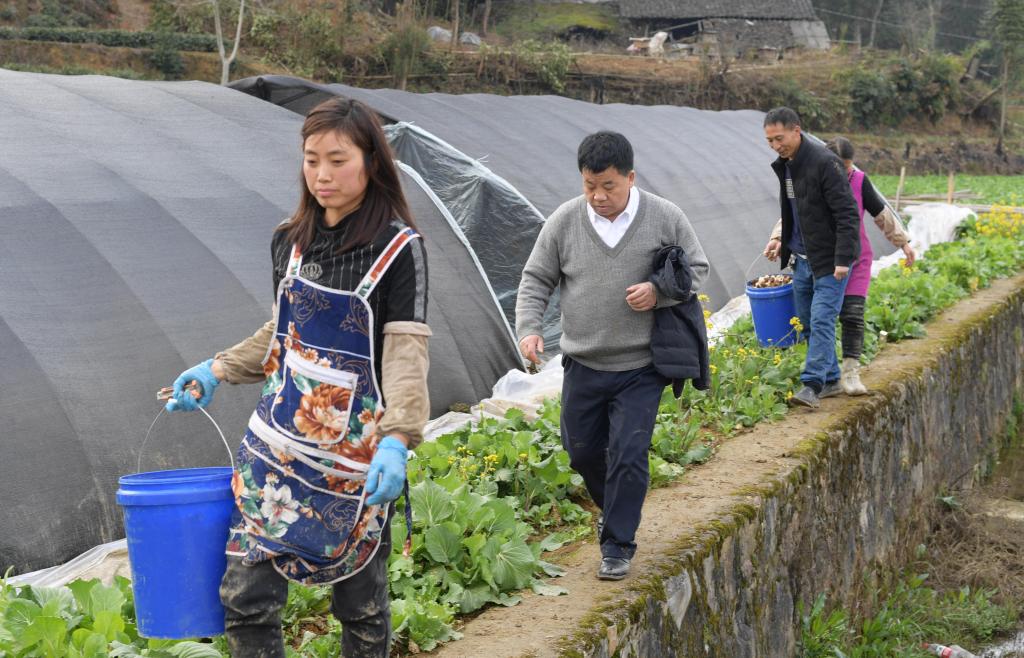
(385, 200)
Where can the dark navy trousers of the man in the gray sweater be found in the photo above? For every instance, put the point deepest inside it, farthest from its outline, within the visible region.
(608, 420)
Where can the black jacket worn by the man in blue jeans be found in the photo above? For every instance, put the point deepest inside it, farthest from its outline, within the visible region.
(829, 220)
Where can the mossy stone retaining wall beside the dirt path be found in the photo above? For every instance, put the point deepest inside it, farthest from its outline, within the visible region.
(858, 506)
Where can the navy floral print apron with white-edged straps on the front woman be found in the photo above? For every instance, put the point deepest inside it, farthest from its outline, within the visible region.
(303, 465)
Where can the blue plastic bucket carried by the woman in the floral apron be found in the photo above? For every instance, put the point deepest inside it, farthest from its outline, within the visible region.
(177, 523)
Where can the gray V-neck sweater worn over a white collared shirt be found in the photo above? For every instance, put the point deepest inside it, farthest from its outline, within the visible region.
(600, 330)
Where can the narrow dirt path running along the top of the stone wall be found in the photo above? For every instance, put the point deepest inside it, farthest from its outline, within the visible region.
(534, 628)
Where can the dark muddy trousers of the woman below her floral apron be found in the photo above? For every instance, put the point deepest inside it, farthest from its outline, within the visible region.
(254, 597)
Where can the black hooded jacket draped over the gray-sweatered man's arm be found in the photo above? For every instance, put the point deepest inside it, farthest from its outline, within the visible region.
(679, 339)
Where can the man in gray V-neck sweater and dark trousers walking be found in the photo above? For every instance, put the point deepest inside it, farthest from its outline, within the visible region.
(601, 249)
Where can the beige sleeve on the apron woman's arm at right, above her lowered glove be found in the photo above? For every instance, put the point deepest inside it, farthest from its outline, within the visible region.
(404, 374)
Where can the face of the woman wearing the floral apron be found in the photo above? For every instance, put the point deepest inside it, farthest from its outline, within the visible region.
(335, 173)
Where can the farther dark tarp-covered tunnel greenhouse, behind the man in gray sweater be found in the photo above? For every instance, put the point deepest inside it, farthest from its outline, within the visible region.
(714, 165)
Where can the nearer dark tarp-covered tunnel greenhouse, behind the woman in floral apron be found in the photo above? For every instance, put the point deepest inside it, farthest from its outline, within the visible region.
(136, 222)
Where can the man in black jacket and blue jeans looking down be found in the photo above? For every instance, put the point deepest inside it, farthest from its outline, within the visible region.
(822, 234)
